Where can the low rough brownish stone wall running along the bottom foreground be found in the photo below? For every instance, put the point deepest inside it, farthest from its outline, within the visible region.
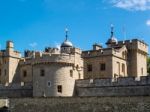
(81, 104)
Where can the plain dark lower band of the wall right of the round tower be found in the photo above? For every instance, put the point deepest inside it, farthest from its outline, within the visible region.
(114, 91)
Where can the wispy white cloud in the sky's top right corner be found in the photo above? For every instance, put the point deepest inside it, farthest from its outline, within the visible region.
(132, 5)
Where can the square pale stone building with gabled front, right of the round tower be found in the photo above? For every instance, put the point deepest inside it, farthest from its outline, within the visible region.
(120, 59)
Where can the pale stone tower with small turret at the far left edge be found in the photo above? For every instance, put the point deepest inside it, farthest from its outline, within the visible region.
(9, 60)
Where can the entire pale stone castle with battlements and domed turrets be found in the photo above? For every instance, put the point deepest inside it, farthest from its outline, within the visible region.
(54, 72)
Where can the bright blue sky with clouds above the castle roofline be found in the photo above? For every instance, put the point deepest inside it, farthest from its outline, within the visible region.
(34, 24)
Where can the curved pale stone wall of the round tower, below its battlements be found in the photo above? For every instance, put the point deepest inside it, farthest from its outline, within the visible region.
(57, 75)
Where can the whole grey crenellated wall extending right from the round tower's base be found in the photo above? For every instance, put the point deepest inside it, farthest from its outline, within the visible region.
(107, 87)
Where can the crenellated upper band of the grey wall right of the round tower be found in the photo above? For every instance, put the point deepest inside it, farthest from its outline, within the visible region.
(122, 81)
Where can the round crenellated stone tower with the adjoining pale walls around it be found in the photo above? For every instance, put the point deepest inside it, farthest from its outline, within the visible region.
(52, 72)
